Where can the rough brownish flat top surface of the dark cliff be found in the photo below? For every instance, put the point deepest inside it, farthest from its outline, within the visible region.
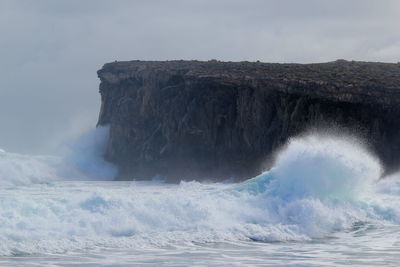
(341, 80)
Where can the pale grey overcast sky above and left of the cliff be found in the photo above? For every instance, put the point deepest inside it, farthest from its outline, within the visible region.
(50, 50)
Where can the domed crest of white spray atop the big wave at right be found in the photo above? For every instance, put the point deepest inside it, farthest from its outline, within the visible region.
(319, 167)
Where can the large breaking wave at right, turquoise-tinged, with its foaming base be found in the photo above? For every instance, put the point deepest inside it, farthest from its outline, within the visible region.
(322, 185)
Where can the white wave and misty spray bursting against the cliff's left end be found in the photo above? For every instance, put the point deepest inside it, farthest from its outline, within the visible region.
(81, 159)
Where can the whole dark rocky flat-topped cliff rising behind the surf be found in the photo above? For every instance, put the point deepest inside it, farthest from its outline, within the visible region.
(196, 120)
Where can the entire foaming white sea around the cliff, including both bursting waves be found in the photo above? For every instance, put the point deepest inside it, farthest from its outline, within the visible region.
(322, 204)
